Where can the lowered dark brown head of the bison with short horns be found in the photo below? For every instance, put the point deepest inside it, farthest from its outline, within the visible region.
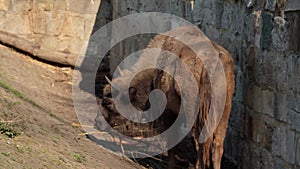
(132, 100)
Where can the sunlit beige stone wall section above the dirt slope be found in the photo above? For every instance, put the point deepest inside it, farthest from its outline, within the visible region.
(54, 30)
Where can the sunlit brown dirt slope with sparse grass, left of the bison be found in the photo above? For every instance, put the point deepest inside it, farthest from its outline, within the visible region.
(36, 105)
